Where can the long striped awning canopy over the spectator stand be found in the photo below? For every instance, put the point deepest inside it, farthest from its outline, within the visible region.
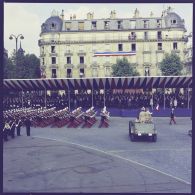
(98, 83)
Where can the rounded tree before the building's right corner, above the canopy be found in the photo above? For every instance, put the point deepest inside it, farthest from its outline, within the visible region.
(171, 65)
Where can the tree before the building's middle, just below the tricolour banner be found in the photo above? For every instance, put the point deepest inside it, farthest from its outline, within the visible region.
(123, 68)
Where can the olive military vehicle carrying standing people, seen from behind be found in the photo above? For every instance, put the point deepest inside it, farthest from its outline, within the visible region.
(138, 129)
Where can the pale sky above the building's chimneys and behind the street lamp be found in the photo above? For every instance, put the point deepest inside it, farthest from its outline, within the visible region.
(27, 18)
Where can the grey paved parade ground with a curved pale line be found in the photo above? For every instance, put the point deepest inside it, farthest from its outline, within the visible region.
(100, 159)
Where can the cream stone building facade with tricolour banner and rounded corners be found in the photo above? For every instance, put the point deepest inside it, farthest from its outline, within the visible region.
(89, 47)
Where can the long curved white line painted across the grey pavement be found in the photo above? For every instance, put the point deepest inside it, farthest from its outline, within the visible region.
(115, 155)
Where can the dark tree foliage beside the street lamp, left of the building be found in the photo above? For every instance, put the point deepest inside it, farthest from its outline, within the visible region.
(22, 67)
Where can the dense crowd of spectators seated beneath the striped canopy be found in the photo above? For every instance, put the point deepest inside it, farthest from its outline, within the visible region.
(112, 100)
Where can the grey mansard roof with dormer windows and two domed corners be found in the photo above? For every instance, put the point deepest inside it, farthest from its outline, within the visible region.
(57, 24)
